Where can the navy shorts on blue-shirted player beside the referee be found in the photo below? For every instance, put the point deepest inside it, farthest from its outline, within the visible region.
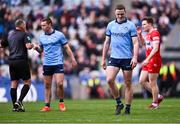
(52, 69)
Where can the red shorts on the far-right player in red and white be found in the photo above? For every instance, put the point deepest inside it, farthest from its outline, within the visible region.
(153, 66)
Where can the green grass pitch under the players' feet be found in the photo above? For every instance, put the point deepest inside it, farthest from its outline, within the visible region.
(93, 111)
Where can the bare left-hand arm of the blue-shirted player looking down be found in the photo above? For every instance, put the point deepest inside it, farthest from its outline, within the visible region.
(105, 50)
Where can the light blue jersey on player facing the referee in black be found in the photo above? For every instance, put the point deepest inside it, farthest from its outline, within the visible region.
(52, 45)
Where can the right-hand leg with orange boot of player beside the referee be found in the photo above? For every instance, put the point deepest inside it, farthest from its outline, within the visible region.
(59, 77)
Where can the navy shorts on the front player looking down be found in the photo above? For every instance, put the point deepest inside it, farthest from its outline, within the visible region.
(124, 64)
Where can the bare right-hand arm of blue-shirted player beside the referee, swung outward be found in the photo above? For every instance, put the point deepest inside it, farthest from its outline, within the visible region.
(69, 52)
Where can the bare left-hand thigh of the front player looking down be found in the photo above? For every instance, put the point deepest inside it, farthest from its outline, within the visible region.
(111, 72)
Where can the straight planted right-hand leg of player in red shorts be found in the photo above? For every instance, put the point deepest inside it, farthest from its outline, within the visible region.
(155, 90)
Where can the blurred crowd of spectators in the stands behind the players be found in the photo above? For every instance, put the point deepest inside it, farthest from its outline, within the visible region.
(83, 22)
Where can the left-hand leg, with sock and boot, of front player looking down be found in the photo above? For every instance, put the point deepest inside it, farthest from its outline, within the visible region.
(111, 73)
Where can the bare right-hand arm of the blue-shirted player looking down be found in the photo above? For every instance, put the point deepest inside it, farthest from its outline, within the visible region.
(135, 51)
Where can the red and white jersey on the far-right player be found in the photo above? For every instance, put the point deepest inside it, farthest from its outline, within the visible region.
(152, 37)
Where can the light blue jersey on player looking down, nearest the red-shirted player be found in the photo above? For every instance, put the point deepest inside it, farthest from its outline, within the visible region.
(121, 34)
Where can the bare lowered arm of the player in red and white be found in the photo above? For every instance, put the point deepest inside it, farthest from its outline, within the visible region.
(154, 50)
